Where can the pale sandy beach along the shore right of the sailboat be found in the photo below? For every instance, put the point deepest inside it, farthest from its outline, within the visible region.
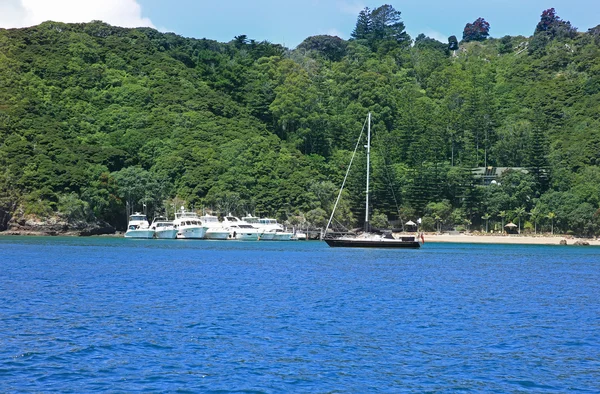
(509, 239)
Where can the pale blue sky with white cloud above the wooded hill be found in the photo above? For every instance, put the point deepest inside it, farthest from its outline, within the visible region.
(290, 22)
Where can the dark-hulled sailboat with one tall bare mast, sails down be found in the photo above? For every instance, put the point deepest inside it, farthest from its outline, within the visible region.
(366, 239)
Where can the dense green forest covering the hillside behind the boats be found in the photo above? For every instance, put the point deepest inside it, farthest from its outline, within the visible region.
(95, 118)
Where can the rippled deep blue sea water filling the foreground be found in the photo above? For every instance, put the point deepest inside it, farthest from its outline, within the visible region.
(121, 315)
